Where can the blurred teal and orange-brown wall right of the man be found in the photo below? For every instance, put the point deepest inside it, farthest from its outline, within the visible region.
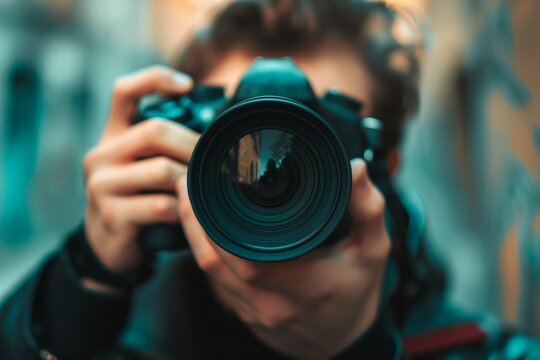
(472, 153)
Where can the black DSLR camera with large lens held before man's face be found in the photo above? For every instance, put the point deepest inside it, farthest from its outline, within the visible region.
(270, 177)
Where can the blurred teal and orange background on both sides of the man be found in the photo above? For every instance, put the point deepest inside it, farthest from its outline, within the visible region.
(471, 154)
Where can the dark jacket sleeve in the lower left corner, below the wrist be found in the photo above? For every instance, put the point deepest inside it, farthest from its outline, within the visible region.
(51, 313)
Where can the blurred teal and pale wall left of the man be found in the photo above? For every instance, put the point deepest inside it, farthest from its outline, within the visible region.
(59, 60)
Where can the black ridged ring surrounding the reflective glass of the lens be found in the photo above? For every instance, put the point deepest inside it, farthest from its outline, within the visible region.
(311, 225)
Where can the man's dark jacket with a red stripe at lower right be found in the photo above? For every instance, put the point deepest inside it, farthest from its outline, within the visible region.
(175, 316)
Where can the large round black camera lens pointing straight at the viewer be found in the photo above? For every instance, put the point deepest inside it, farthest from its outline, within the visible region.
(269, 180)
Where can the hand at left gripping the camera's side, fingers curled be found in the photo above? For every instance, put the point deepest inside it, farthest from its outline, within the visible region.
(131, 174)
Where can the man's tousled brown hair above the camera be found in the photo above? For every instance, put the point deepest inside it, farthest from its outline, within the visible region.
(293, 26)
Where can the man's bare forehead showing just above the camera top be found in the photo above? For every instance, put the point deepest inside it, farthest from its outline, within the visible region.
(329, 66)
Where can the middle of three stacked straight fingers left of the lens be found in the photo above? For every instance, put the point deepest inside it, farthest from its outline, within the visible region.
(158, 173)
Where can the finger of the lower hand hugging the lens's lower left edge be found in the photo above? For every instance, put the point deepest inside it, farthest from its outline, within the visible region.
(203, 250)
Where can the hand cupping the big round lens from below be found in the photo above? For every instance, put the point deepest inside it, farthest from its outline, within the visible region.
(331, 293)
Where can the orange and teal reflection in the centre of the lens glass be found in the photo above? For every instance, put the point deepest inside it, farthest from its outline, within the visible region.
(263, 165)
